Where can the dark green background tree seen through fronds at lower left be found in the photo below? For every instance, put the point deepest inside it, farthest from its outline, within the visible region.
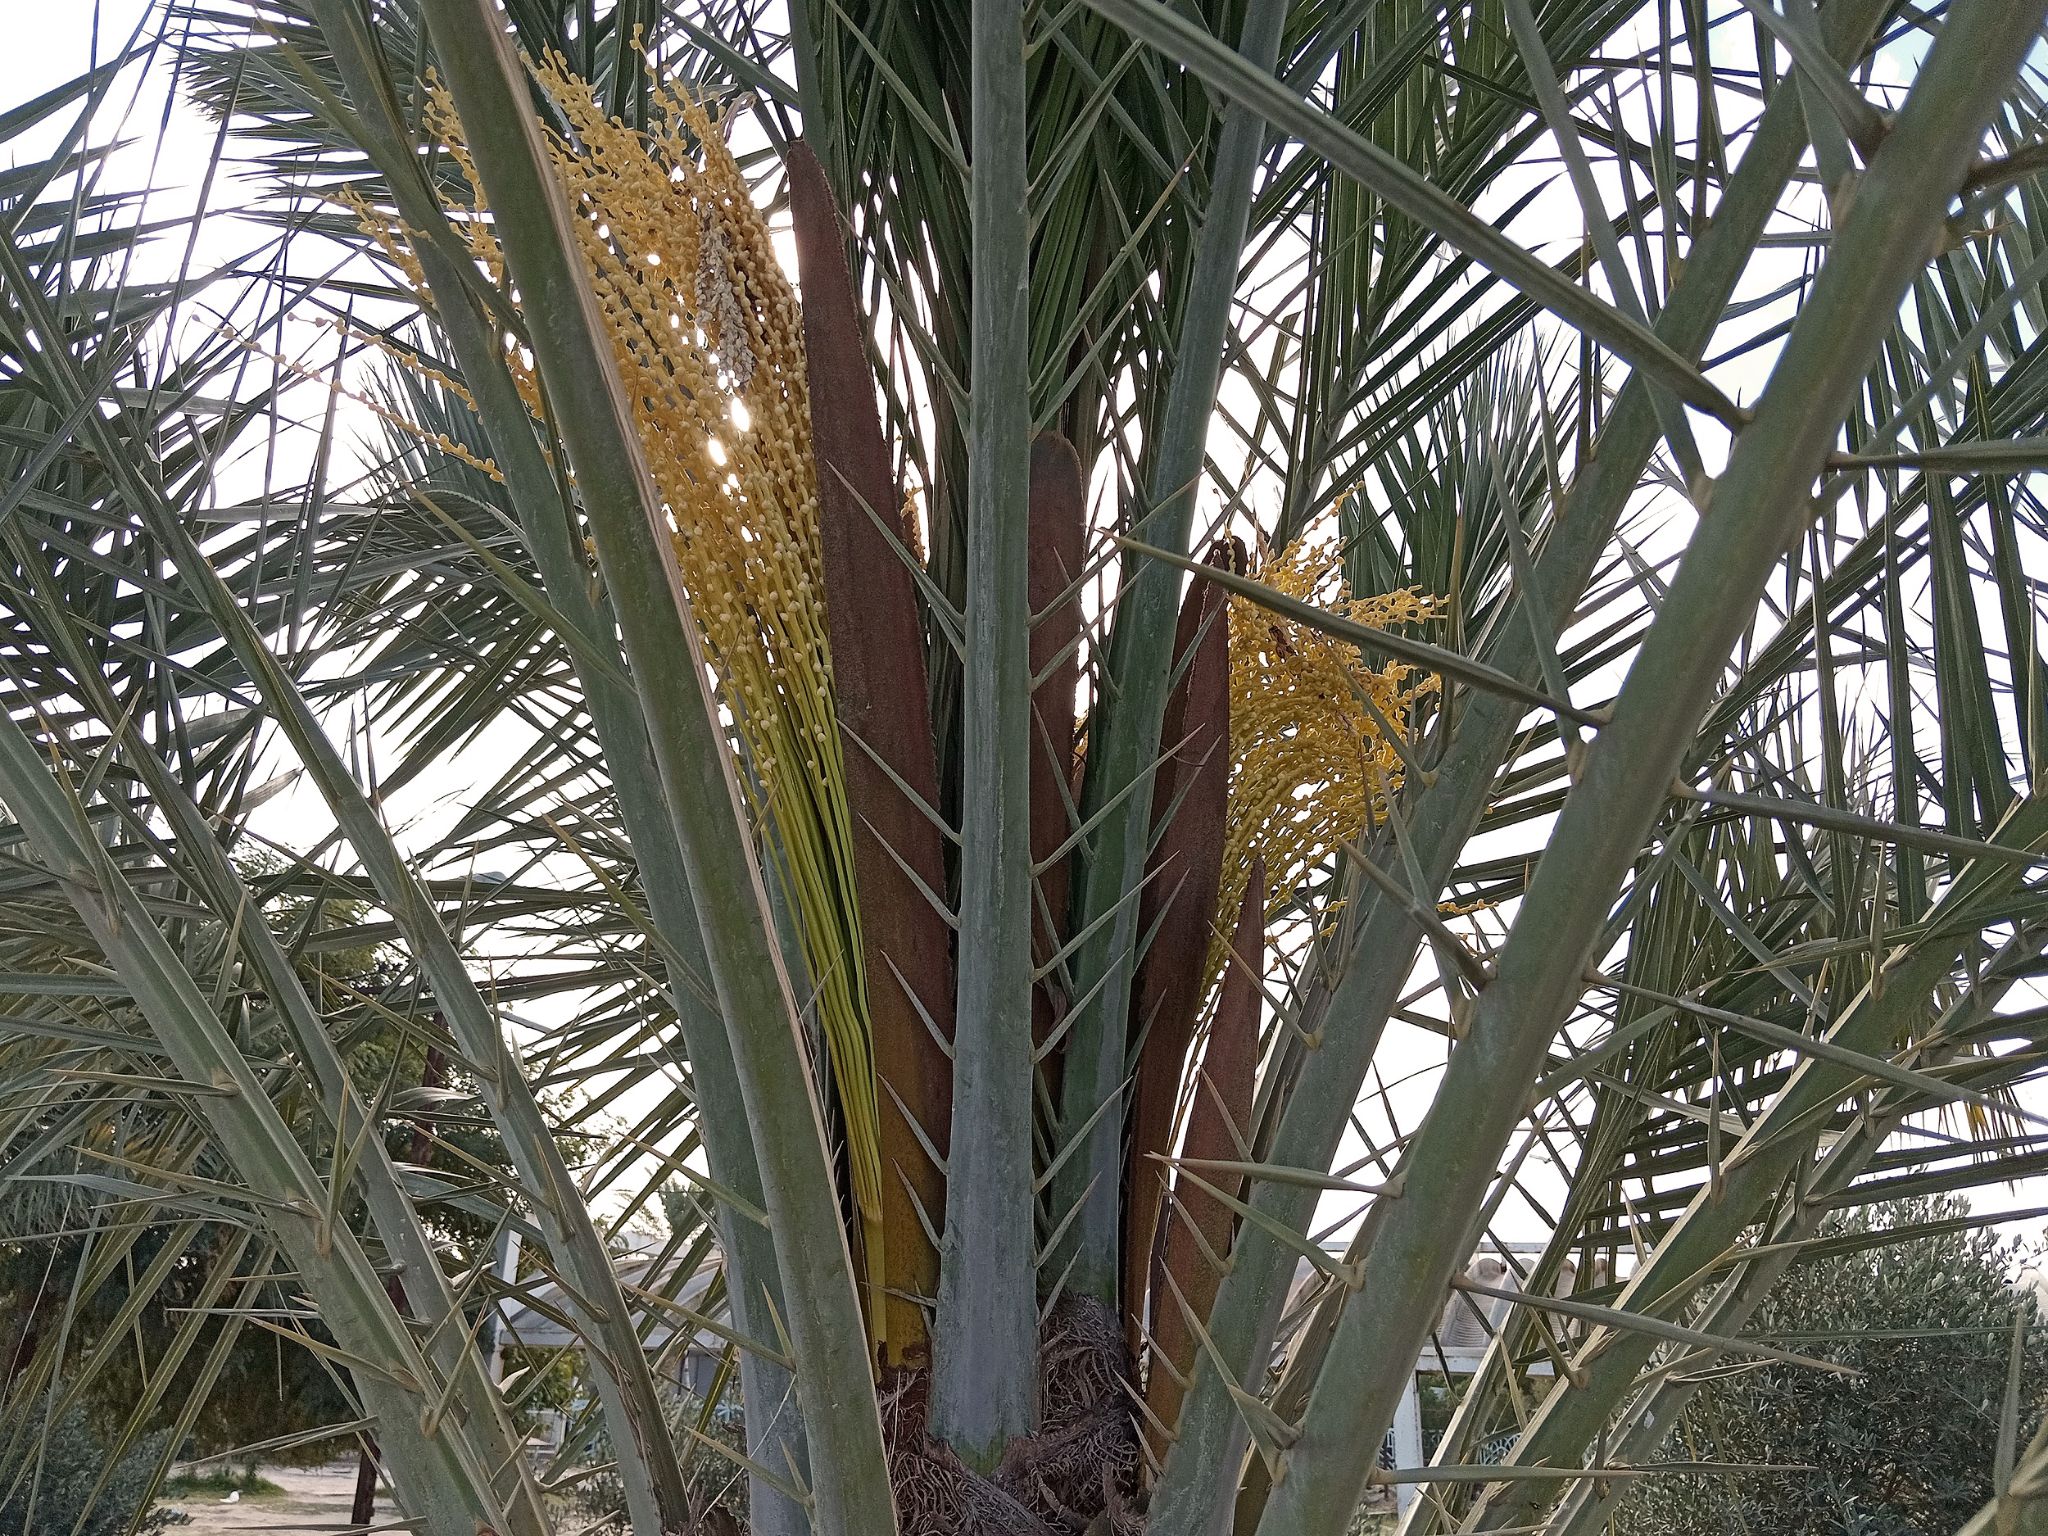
(108, 1320)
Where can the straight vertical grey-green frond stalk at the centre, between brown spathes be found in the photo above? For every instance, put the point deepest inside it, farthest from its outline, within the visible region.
(984, 1375)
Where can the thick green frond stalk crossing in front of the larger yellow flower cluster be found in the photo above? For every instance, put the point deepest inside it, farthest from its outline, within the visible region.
(822, 1312)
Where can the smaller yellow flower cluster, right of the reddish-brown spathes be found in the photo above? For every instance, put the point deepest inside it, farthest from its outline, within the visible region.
(1310, 763)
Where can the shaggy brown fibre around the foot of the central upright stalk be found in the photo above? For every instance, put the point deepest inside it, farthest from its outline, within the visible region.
(1080, 1474)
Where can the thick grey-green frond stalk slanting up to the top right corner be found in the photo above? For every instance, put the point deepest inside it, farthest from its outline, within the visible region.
(1758, 505)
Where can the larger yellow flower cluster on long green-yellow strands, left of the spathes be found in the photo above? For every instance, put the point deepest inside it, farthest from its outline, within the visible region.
(710, 345)
